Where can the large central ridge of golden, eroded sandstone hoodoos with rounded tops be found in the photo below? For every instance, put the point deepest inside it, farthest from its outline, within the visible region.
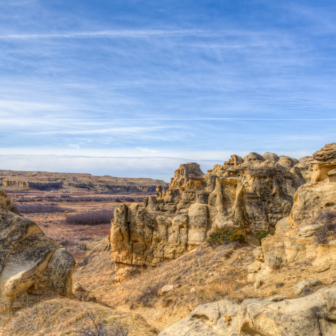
(251, 193)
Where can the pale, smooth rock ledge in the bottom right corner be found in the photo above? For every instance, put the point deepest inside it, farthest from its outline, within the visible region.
(313, 315)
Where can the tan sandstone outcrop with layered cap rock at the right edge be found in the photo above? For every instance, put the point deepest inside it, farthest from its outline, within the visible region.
(309, 233)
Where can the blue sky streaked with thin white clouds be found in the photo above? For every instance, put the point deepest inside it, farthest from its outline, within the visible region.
(134, 88)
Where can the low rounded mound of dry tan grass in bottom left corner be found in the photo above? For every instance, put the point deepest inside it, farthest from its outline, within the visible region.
(61, 316)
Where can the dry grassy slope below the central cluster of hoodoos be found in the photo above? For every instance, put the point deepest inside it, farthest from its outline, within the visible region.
(206, 274)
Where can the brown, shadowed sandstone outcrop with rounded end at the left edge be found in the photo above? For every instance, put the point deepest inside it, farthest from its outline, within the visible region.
(29, 260)
